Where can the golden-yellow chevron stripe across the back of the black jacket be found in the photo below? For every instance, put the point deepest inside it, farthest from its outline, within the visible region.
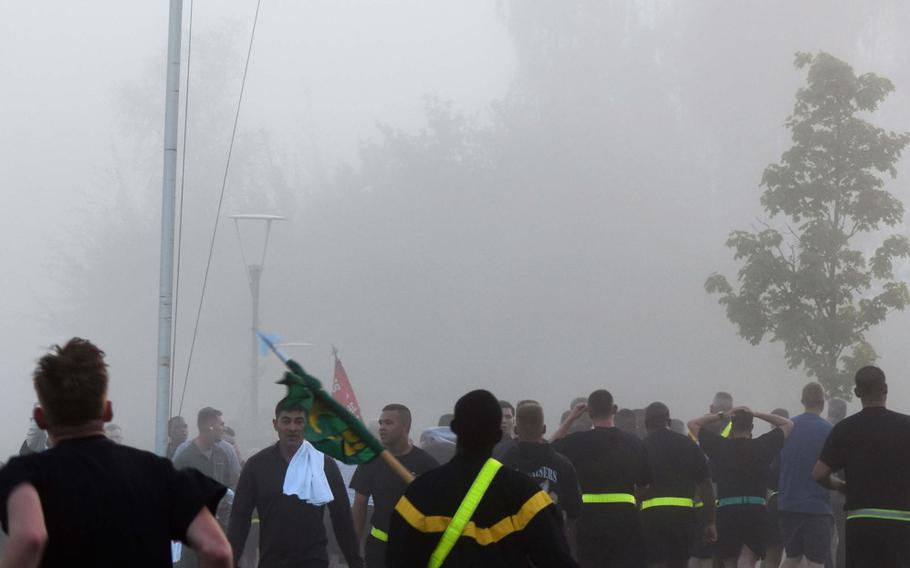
(483, 536)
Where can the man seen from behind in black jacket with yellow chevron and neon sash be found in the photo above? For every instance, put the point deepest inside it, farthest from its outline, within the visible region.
(514, 524)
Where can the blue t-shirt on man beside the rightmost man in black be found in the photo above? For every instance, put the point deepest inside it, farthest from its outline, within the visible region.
(799, 493)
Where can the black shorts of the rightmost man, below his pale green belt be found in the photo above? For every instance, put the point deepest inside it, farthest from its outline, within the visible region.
(875, 543)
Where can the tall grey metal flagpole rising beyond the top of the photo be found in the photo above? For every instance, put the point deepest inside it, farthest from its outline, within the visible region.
(168, 200)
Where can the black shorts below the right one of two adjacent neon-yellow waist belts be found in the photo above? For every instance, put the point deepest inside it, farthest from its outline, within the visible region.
(668, 532)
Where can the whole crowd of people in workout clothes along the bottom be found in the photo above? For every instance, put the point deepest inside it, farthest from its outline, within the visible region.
(488, 486)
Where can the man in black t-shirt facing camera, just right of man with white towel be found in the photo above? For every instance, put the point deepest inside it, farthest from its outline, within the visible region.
(377, 480)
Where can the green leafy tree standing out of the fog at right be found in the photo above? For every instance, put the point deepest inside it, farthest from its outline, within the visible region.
(809, 285)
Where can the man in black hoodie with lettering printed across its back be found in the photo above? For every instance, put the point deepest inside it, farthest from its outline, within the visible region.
(534, 457)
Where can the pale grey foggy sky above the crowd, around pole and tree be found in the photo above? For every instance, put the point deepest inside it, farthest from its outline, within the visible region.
(539, 292)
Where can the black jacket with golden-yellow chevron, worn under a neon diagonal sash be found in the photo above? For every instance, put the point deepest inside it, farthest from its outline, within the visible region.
(515, 524)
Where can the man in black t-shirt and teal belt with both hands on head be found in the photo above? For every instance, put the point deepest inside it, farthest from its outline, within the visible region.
(740, 466)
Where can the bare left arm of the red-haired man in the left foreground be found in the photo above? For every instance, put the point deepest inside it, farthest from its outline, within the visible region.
(27, 533)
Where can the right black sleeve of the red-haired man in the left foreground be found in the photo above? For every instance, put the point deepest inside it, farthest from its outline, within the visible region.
(190, 491)
